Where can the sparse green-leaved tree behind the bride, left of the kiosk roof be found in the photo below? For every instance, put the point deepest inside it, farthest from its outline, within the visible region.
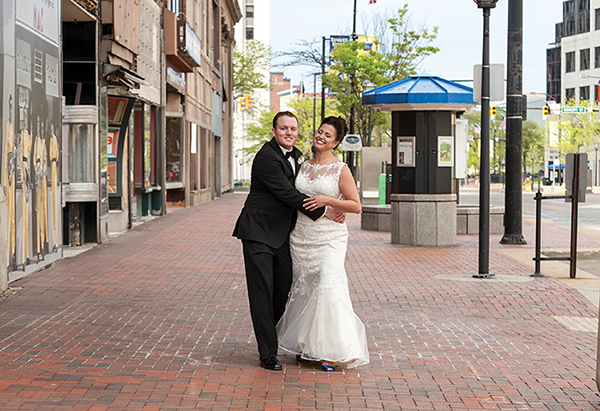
(401, 49)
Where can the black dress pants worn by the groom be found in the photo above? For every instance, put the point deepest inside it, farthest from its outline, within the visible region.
(269, 278)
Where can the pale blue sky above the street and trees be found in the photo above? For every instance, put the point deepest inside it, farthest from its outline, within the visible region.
(460, 37)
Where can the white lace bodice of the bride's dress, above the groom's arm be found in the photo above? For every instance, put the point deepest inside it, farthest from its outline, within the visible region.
(320, 179)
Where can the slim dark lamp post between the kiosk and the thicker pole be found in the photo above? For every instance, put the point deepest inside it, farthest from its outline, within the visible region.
(484, 188)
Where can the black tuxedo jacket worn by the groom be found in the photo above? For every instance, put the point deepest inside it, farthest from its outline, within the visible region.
(269, 214)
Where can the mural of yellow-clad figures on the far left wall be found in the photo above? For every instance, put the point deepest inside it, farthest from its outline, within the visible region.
(31, 121)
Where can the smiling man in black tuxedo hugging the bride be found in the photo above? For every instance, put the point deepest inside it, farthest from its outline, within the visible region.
(264, 226)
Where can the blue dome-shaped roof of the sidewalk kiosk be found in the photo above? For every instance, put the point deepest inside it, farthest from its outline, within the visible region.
(420, 90)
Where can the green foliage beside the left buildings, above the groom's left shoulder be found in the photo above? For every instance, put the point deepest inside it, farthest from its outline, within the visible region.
(251, 68)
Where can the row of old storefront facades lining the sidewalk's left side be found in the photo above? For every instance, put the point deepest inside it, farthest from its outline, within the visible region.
(110, 109)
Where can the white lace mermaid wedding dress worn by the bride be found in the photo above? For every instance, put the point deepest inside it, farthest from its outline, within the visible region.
(319, 322)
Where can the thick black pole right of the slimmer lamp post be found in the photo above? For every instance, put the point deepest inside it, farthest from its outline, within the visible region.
(513, 226)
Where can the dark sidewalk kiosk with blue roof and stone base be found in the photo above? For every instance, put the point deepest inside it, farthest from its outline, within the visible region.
(424, 110)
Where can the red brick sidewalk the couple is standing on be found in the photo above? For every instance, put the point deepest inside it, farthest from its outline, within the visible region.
(157, 319)
